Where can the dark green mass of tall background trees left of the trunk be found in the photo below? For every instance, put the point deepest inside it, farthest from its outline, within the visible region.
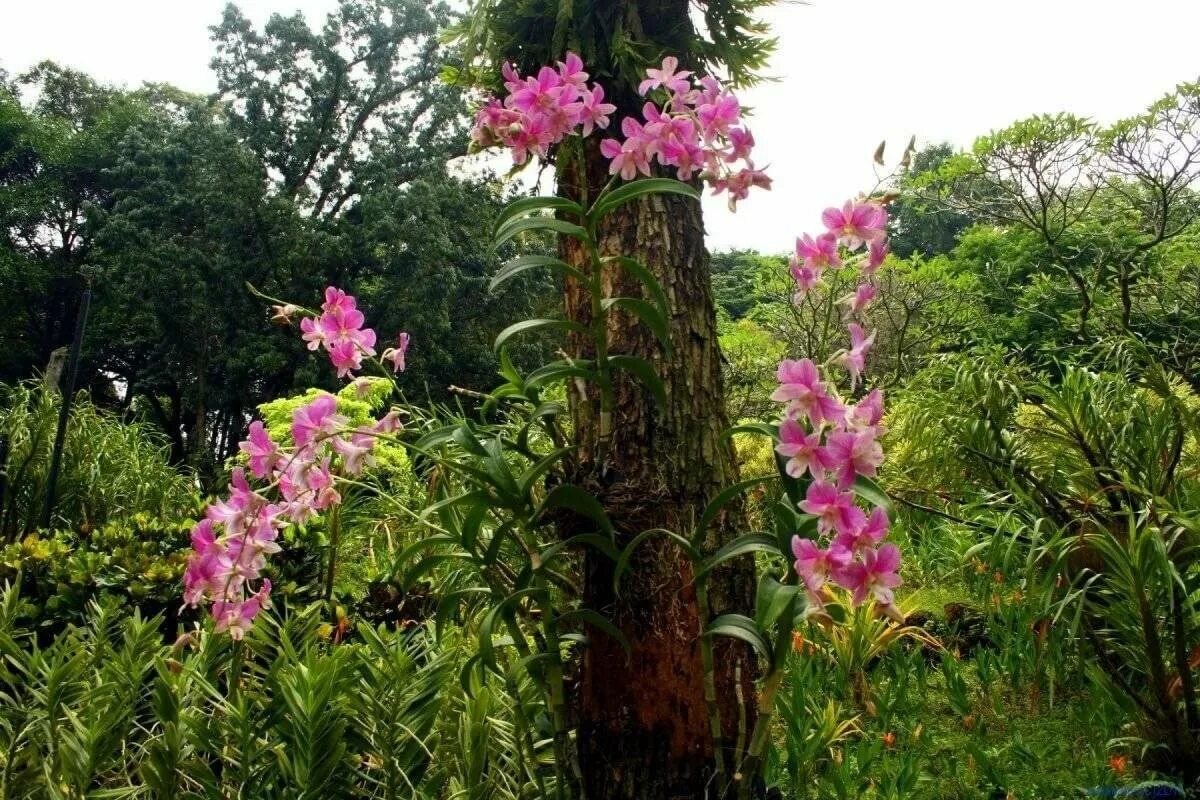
(323, 160)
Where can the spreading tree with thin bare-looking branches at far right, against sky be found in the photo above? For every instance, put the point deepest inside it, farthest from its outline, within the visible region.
(1099, 206)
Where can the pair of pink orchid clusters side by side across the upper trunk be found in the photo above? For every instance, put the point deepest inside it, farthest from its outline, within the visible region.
(698, 129)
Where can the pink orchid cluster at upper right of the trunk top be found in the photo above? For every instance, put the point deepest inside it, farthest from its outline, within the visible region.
(698, 130)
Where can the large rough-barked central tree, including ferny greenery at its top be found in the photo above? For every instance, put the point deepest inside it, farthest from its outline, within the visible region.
(643, 720)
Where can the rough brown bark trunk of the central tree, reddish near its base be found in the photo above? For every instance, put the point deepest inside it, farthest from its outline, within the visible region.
(644, 729)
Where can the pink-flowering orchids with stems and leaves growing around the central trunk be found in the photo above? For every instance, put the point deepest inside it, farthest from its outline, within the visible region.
(829, 447)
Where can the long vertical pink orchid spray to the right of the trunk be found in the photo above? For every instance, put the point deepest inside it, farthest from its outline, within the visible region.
(832, 442)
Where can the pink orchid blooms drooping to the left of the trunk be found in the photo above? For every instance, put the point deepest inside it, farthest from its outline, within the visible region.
(231, 544)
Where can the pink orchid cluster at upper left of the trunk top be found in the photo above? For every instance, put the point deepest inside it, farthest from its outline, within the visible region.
(541, 112)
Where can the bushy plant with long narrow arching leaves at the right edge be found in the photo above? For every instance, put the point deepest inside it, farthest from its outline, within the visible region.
(1087, 490)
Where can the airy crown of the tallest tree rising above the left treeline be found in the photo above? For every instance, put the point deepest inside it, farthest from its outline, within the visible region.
(329, 112)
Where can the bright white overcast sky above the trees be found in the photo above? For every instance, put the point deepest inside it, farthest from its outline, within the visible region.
(850, 73)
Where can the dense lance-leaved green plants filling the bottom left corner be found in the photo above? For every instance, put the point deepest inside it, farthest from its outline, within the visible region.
(107, 709)
